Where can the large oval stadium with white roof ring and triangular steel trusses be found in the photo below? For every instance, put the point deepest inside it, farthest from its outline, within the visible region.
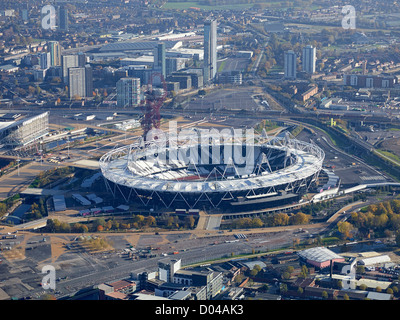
(213, 172)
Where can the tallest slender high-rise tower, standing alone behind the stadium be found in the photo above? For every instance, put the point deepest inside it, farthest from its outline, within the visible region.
(210, 50)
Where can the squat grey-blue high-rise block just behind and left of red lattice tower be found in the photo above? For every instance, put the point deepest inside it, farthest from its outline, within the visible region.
(128, 92)
